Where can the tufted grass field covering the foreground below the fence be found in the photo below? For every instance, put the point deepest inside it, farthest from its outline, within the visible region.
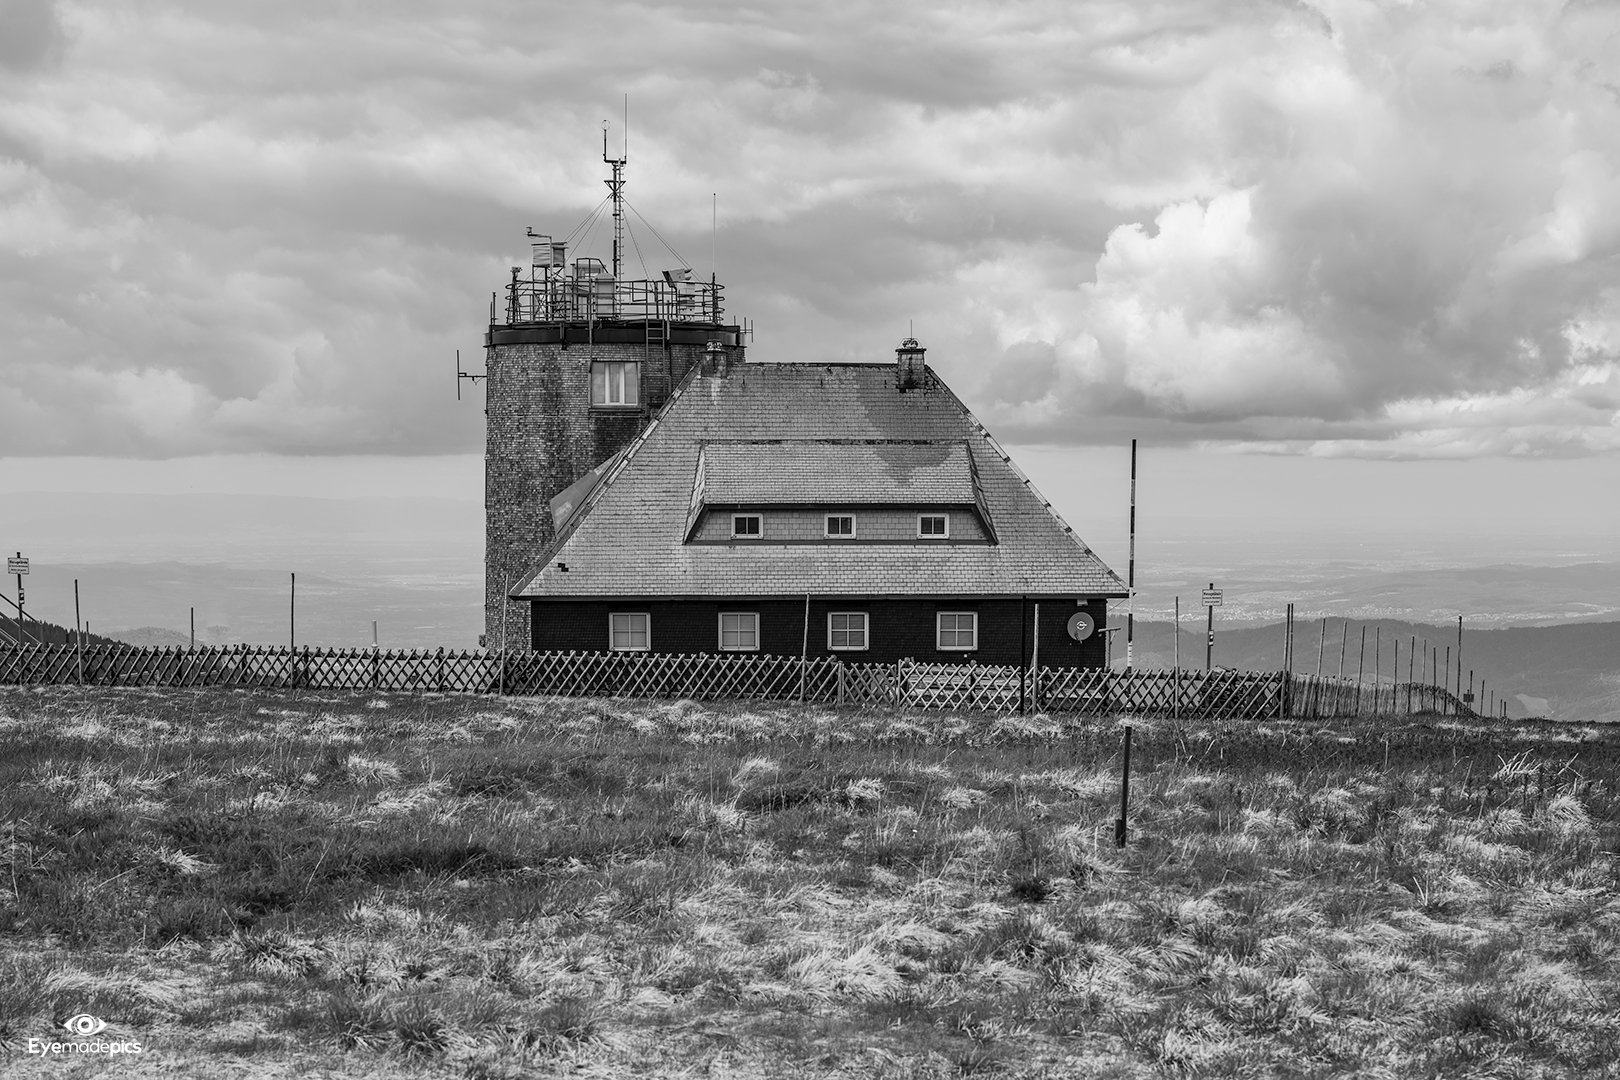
(257, 885)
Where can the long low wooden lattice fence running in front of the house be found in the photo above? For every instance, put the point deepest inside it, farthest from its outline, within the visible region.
(910, 684)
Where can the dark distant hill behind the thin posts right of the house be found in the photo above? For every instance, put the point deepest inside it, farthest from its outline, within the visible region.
(1572, 668)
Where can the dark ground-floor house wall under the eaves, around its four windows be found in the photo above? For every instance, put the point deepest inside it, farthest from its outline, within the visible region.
(898, 627)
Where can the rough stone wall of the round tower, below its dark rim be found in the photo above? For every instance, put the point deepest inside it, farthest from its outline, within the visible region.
(542, 435)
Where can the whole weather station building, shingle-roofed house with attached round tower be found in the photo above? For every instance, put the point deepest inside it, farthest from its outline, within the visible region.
(650, 488)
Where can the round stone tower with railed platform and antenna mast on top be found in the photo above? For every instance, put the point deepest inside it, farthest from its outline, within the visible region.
(582, 362)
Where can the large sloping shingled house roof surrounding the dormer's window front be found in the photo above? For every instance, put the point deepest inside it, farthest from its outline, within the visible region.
(628, 540)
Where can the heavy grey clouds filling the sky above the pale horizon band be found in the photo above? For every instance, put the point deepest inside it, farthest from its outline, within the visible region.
(1379, 231)
